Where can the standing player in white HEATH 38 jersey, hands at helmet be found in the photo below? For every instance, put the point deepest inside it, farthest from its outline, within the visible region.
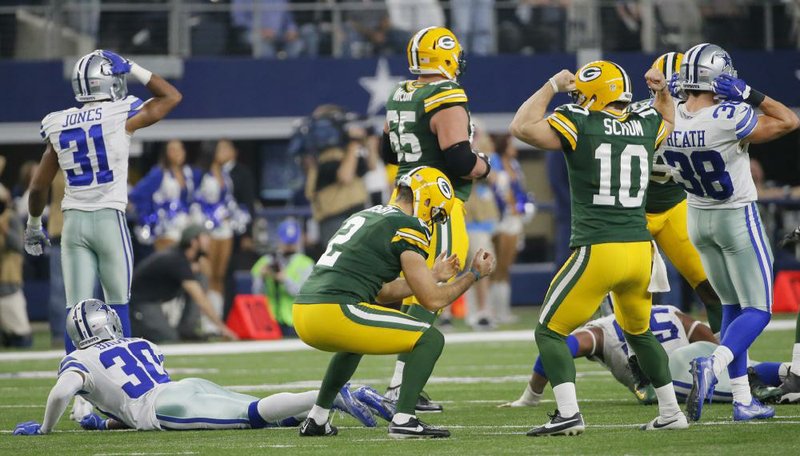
(707, 152)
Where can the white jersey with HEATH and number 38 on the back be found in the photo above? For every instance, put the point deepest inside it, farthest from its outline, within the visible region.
(708, 157)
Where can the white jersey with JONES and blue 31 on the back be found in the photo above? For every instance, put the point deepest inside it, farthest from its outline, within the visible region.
(92, 147)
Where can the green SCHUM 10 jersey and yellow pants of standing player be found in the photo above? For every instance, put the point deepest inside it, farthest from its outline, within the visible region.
(609, 158)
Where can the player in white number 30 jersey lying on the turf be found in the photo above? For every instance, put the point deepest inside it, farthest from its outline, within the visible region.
(125, 379)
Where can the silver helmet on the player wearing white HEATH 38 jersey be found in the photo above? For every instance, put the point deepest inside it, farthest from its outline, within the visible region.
(702, 64)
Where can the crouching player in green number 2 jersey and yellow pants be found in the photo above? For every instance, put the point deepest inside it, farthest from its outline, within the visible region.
(334, 312)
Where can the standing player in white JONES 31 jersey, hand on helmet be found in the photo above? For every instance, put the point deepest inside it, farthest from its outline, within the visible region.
(90, 144)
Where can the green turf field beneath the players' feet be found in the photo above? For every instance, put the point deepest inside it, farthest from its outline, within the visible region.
(471, 379)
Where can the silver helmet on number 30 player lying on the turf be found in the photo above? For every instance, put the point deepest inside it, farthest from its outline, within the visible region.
(92, 321)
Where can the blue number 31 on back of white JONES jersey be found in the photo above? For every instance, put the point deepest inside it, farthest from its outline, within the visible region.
(81, 156)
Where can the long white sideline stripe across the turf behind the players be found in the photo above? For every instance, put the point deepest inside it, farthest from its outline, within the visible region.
(291, 345)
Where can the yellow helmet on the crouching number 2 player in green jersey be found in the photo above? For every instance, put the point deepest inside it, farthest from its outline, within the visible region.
(433, 194)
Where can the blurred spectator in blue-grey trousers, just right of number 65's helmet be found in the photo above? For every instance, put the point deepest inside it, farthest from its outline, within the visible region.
(473, 24)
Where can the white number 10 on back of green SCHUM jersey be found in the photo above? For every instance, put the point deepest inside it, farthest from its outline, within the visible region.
(604, 196)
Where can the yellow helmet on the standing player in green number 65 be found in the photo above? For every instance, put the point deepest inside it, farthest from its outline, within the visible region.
(435, 50)
